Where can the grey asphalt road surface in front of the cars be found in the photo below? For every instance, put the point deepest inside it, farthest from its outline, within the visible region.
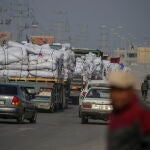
(58, 131)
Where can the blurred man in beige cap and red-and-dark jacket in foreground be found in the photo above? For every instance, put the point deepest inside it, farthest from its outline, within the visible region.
(129, 127)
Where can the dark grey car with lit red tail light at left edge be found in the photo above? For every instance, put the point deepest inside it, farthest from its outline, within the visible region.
(15, 103)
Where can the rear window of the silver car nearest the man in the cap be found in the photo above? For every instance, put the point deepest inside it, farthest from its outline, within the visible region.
(98, 93)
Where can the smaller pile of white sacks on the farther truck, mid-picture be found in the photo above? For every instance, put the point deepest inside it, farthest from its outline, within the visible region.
(91, 66)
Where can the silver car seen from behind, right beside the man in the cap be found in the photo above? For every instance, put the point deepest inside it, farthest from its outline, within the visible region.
(96, 104)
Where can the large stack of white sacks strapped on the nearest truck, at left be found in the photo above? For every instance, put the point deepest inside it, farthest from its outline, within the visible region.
(30, 60)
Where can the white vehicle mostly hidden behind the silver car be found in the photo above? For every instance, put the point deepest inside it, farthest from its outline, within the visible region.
(88, 85)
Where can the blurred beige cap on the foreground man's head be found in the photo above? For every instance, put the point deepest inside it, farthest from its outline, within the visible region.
(122, 79)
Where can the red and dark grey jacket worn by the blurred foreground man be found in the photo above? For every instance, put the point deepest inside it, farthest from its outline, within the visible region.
(129, 127)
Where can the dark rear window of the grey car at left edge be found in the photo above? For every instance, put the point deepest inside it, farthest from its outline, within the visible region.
(8, 90)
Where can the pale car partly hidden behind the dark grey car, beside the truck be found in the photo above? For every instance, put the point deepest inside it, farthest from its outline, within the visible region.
(44, 103)
